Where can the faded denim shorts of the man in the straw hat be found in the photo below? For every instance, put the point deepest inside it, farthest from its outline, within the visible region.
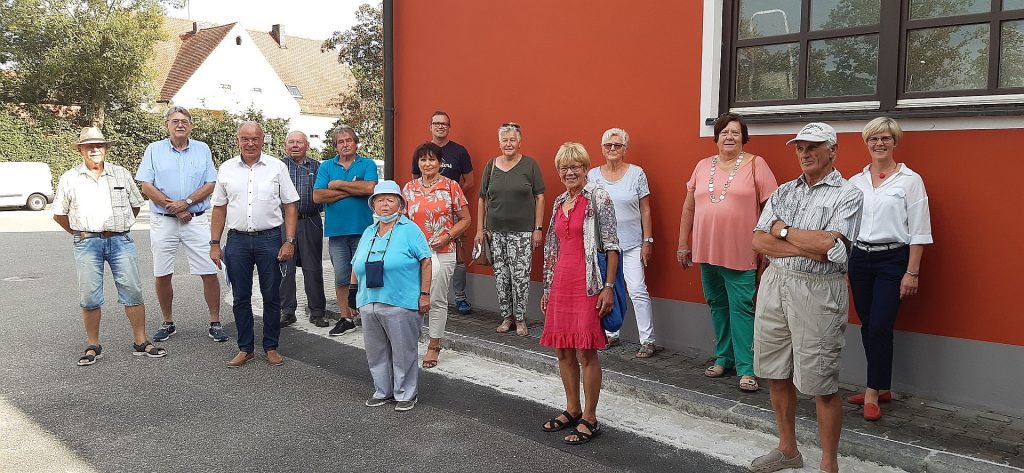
(119, 252)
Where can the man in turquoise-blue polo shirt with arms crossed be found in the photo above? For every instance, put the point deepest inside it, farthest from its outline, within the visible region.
(344, 186)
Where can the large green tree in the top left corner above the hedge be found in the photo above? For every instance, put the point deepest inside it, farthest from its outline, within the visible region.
(87, 53)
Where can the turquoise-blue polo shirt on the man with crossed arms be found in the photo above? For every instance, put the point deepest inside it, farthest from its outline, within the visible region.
(351, 216)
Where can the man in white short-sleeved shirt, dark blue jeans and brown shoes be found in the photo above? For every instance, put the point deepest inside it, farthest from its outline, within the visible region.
(251, 192)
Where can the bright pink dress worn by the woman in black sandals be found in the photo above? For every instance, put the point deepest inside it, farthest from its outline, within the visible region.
(572, 320)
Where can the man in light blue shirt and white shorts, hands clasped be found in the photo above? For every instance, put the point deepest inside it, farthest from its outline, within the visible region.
(178, 176)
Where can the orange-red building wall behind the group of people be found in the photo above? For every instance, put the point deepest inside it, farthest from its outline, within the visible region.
(569, 70)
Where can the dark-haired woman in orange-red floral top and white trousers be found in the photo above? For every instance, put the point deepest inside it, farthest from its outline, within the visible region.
(439, 207)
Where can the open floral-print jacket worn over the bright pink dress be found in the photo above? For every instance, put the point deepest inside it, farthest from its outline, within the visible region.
(599, 235)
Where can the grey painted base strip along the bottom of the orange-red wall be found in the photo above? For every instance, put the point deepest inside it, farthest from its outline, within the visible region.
(968, 373)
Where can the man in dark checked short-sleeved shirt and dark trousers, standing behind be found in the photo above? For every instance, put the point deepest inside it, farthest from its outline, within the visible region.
(310, 233)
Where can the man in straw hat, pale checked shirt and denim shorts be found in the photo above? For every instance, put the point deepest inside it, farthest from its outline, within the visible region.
(97, 203)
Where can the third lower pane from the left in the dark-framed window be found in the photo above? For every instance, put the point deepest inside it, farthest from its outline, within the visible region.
(948, 59)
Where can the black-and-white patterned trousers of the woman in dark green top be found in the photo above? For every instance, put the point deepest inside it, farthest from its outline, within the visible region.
(514, 253)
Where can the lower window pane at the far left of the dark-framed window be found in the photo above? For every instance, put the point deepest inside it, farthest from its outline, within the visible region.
(767, 73)
